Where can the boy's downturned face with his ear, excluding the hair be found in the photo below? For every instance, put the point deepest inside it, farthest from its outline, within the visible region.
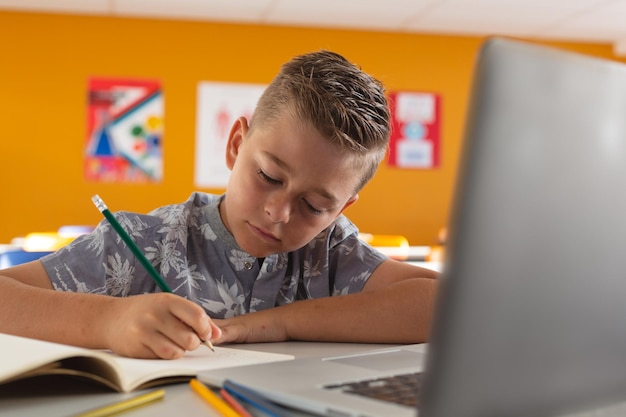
(288, 183)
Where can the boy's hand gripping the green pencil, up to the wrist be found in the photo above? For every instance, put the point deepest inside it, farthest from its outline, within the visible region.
(159, 325)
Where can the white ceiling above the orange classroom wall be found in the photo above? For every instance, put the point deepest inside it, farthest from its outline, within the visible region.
(598, 21)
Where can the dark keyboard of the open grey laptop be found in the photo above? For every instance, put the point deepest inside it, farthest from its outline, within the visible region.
(400, 389)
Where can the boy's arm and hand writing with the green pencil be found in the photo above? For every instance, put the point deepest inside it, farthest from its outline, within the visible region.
(152, 325)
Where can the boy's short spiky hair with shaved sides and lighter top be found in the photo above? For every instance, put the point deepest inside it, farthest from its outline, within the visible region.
(345, 104)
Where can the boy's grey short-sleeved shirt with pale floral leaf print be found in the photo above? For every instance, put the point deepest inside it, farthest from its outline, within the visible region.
(199, 259)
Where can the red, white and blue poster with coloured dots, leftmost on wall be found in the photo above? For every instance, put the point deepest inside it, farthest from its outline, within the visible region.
(124, 131)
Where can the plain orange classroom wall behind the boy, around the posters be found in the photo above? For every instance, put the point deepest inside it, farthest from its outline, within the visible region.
(46, 60)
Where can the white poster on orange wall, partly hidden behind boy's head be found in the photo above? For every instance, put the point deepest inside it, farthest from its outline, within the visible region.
(219, 105)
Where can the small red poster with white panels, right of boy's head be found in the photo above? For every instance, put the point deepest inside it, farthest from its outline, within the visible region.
(415, 134)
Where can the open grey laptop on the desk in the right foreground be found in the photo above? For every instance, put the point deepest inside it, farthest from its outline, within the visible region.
(531, 314)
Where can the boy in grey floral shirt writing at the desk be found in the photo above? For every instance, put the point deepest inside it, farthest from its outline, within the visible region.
(272, 259)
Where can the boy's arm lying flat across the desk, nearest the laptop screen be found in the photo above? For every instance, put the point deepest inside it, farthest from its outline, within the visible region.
(395, 306)
